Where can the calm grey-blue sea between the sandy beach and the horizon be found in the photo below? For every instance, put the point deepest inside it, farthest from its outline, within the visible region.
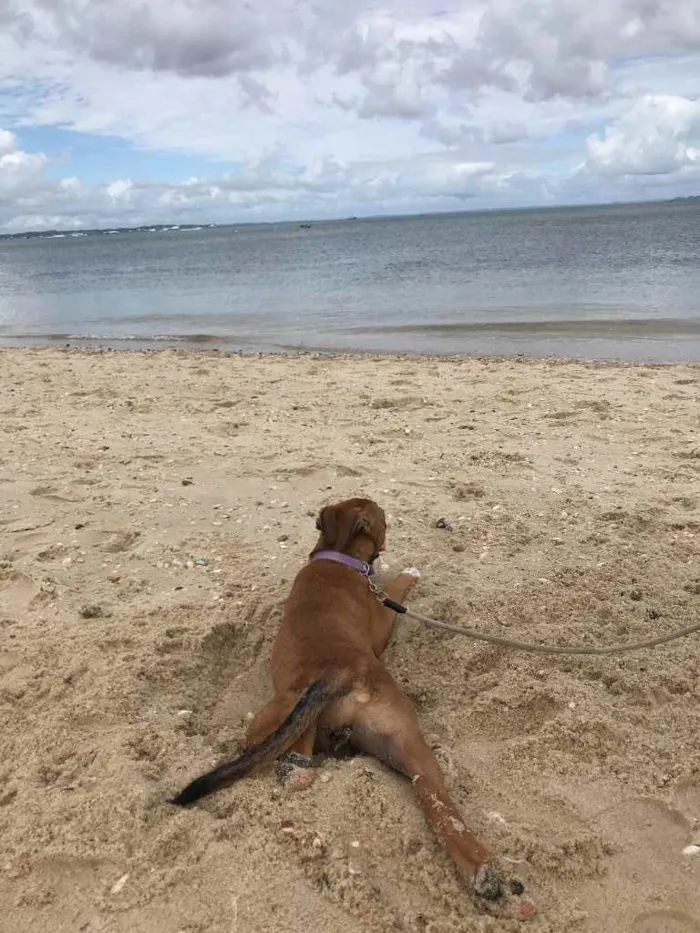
(614, 282)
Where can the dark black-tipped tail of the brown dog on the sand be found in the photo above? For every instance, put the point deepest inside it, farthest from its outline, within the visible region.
(304, 714)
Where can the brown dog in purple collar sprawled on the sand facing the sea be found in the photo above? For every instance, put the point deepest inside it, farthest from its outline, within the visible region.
(329, 681)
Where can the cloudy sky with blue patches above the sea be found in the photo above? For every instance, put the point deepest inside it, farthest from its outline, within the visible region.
(127, 112)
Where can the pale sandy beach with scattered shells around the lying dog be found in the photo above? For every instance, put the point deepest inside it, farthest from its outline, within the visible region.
(154, 508)
